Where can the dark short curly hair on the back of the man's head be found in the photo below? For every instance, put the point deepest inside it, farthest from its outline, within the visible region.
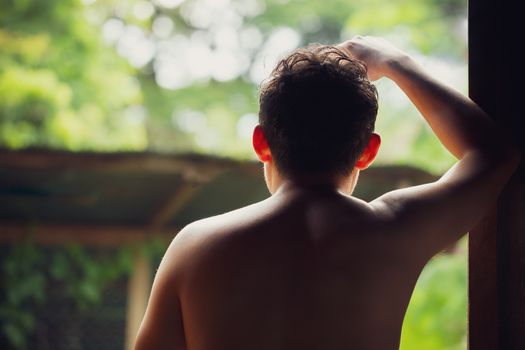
(317, 111)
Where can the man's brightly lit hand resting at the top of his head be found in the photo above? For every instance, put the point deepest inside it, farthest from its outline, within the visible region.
(377, 54)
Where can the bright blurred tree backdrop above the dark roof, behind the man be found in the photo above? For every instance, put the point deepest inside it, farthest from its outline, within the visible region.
(190, 80)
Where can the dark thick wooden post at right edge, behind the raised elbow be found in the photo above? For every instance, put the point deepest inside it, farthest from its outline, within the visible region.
(497, 245)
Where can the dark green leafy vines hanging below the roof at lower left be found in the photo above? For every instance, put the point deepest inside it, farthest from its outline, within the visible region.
(29, 270)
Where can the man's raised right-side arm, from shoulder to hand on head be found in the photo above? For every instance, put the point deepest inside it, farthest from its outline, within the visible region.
(437, 214)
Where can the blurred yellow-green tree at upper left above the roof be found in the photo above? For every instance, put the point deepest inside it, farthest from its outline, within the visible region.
(59, 86)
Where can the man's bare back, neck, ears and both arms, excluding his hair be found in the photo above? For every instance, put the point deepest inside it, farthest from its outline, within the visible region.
(312, 267)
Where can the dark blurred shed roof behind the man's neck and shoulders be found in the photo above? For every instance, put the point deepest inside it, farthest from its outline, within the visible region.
(142, 190)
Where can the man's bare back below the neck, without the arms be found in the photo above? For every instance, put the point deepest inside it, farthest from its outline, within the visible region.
(305, 269)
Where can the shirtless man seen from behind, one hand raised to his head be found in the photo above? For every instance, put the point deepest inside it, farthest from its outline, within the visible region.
(312, 267)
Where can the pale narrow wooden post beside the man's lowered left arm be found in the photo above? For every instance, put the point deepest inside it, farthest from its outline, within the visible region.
(138, 293)
